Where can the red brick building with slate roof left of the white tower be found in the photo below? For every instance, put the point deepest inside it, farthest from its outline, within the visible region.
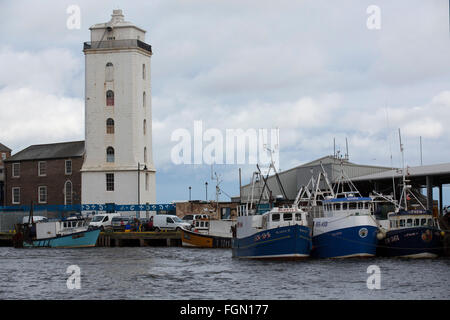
(46, 174)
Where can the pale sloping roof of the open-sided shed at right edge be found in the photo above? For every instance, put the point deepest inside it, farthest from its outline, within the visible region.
(430, 170)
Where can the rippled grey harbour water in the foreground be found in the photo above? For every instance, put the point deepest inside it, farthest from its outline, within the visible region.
(177, 273)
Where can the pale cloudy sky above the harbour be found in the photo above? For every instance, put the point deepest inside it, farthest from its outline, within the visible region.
(311, 68)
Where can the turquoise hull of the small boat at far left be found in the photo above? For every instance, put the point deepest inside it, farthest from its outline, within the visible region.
(77, 240)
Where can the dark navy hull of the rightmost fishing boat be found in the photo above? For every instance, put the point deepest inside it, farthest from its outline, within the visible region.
(420, 242)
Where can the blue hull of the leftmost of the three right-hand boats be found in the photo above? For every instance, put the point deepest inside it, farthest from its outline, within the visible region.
(290, 242)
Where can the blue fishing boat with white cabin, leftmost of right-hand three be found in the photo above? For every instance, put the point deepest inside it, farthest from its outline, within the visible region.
(265, 232)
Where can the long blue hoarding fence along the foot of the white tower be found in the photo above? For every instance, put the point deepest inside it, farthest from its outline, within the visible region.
(93, 207)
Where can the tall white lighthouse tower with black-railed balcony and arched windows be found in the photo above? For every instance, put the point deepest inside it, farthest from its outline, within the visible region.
(118, 166)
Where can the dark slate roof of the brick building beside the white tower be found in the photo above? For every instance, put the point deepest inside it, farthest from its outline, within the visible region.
(50, 151)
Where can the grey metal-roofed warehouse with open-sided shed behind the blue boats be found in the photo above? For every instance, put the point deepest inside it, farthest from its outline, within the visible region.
(366, 178)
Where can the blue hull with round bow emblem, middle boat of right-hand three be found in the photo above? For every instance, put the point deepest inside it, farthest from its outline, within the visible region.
(350, 242)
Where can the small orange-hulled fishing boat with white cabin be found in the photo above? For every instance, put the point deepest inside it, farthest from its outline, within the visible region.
(208, 233)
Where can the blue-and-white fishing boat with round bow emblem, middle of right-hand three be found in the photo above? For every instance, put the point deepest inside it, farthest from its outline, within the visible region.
(347, 227)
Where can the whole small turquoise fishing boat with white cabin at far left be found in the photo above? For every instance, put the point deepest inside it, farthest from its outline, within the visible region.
(63, 233)
